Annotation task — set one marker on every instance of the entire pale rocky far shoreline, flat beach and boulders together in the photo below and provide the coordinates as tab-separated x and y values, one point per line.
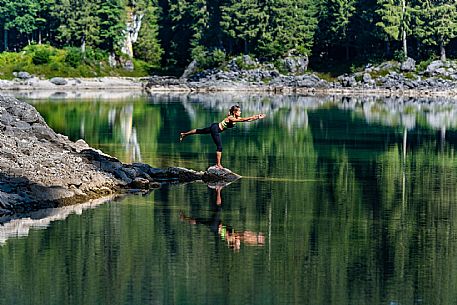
437	78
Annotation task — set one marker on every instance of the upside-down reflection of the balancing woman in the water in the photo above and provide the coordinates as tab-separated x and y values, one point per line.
225	232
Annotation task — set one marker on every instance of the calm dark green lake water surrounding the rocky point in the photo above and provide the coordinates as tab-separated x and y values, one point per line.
342	201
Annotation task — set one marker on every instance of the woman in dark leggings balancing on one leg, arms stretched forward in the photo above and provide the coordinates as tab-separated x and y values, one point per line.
215	129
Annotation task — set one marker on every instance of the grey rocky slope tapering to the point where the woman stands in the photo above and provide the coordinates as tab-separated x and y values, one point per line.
42	169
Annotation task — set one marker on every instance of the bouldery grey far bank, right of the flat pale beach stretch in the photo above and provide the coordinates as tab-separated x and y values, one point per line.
438	78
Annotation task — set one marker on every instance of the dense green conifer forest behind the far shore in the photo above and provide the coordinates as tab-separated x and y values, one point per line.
170	33
